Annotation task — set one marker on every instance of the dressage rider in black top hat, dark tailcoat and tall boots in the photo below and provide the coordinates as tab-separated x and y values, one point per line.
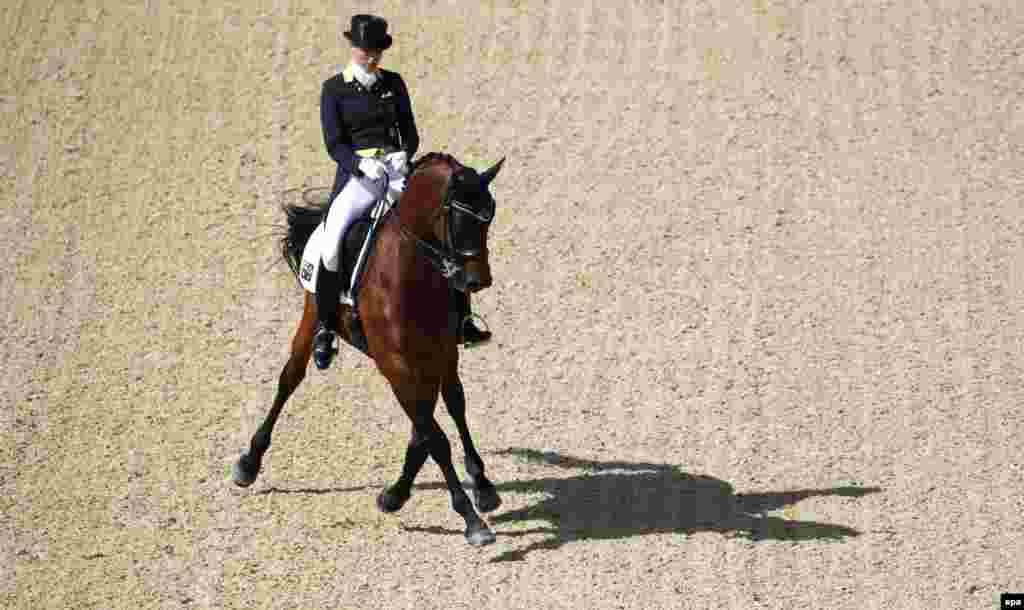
370	132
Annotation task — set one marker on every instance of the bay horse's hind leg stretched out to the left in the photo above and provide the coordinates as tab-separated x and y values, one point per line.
247	468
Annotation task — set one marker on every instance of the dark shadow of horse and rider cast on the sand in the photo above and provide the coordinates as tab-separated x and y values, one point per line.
620	500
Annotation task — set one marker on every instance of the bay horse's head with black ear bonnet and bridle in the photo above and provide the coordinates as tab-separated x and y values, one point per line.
460	224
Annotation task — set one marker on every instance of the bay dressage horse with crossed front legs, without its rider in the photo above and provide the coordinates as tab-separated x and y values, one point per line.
433	242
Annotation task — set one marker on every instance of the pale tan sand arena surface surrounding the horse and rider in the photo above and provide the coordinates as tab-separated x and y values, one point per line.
759	308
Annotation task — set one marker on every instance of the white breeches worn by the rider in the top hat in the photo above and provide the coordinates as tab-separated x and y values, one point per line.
356	199
